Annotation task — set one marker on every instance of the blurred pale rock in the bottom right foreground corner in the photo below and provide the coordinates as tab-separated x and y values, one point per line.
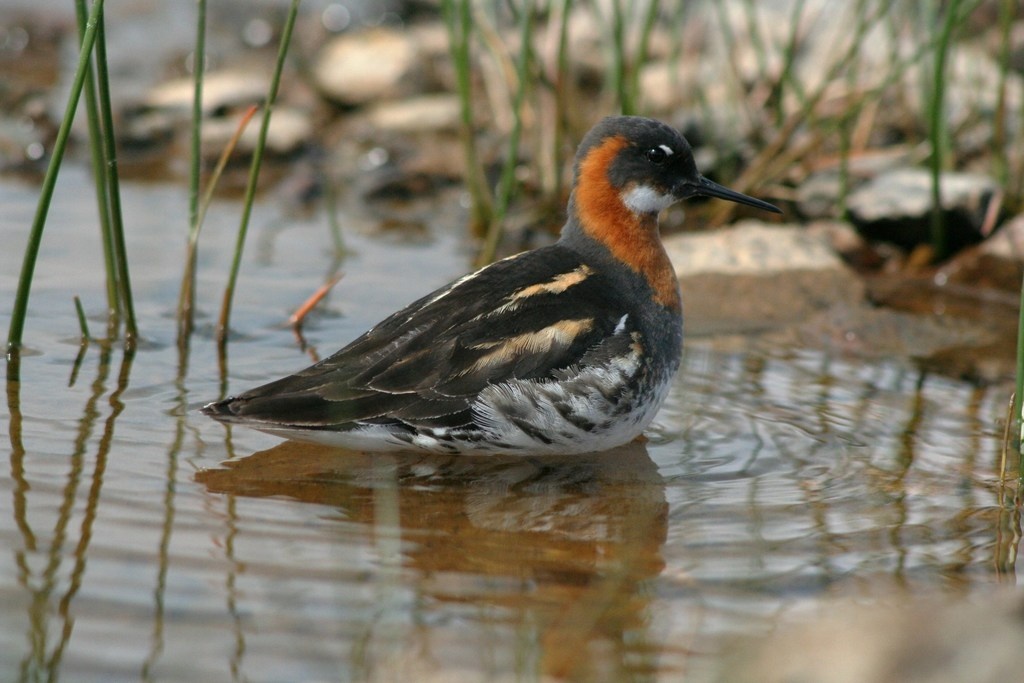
915	643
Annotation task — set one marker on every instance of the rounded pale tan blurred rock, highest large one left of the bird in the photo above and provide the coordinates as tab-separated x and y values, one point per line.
361	68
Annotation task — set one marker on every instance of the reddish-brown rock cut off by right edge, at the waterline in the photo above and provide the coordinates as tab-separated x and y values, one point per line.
999	262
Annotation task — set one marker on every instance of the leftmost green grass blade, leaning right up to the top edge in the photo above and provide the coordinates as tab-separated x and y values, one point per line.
17	330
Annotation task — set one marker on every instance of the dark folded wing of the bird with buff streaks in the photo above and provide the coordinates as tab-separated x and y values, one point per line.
530	317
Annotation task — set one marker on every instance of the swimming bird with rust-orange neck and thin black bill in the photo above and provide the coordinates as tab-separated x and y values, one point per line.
565	350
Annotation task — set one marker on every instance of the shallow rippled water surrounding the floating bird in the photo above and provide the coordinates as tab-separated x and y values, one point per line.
145	542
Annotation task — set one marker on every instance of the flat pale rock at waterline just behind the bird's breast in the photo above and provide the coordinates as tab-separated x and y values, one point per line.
753	277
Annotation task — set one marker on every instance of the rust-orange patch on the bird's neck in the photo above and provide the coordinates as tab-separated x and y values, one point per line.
632	239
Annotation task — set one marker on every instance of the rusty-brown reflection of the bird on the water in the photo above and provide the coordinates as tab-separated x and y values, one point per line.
564	544
